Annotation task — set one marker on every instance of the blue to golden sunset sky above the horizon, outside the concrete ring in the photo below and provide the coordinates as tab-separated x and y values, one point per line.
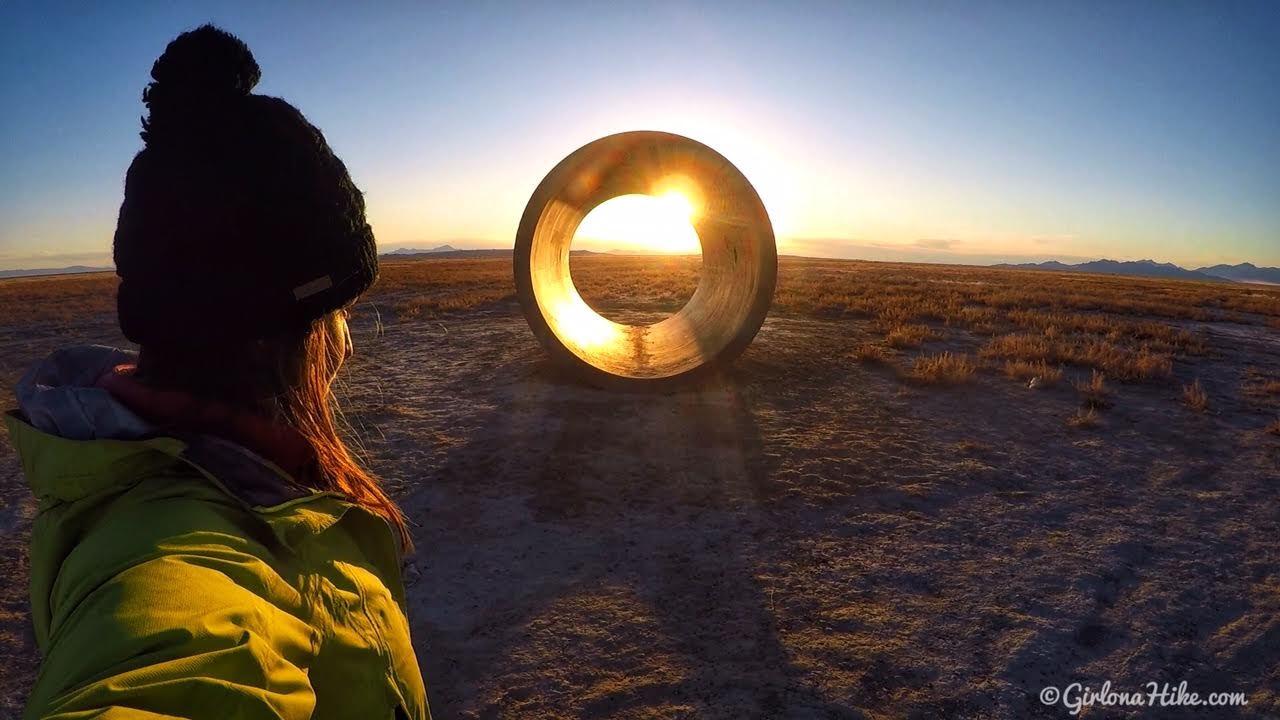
964	133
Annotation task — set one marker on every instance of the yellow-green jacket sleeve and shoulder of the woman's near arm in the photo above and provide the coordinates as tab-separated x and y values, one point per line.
167	604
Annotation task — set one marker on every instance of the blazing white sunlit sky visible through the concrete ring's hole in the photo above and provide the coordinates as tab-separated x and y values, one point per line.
642	224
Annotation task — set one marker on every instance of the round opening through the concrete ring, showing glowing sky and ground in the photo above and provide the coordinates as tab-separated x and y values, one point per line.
637	259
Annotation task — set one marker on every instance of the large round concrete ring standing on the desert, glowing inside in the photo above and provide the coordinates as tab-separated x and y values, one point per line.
734	293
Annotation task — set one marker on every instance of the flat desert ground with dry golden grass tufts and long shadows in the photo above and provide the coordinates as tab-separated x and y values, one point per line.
924	491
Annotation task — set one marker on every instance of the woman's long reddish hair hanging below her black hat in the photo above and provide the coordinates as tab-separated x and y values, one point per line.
290	379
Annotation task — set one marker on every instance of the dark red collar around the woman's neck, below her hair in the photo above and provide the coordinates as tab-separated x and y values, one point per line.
278	443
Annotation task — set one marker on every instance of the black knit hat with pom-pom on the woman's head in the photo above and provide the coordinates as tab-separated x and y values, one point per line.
239	222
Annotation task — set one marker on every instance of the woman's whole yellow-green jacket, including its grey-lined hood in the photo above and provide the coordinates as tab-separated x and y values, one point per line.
189	577
